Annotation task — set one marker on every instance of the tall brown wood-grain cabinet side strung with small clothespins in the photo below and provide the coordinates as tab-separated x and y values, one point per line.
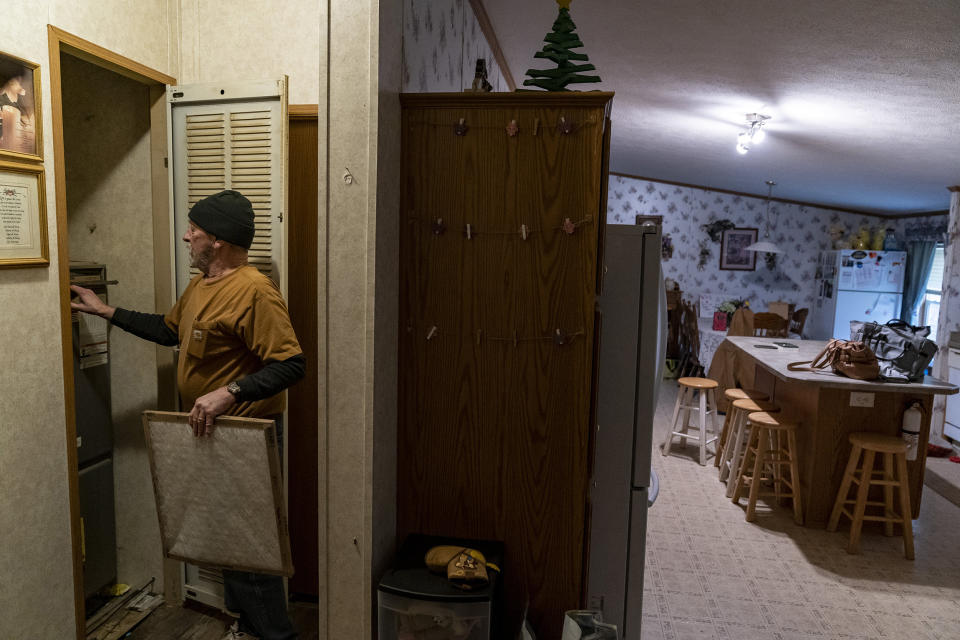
504	200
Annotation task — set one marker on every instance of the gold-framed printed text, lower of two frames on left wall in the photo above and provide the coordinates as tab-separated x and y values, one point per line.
23	216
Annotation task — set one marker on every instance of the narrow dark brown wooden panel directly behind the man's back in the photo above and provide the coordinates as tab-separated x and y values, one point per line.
302	414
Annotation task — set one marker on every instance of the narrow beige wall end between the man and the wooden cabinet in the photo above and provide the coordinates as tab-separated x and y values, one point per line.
360	81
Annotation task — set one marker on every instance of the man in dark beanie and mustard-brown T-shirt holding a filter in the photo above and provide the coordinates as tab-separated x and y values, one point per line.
238	351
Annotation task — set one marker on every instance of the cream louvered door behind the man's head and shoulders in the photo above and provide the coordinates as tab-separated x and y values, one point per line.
231	137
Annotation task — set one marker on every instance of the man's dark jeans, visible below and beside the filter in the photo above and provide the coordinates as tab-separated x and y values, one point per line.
259	599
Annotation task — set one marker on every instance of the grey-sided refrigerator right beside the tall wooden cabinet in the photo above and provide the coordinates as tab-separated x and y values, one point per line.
631	312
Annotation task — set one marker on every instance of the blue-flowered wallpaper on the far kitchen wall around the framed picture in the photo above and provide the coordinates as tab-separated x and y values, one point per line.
800	230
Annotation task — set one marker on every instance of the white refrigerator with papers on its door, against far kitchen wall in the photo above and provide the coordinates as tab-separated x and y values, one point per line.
856	284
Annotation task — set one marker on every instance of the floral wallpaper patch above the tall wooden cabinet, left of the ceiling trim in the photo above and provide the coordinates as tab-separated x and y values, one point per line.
442	41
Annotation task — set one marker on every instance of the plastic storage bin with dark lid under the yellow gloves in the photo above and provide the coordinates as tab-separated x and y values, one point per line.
415	604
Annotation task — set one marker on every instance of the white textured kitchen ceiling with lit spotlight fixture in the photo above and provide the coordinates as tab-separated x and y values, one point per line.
864	95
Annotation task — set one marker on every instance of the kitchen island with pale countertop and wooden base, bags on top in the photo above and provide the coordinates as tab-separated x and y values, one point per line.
827	407
